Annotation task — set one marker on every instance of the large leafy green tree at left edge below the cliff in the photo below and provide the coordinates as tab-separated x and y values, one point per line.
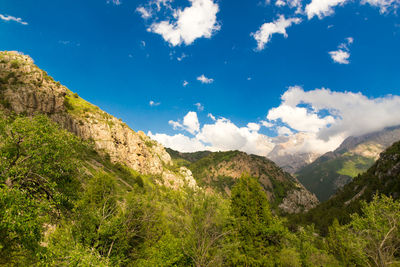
38	157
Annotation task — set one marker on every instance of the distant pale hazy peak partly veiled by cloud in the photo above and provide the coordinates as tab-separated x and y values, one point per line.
287	153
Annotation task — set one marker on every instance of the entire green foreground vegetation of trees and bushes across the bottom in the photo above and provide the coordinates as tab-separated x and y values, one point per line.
62	204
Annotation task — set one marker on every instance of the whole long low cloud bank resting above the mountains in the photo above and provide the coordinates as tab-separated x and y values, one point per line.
314	121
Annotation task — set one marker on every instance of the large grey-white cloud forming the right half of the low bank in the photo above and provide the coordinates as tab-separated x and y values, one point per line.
350	114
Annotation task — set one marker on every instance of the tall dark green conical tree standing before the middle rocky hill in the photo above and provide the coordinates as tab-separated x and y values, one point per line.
258	232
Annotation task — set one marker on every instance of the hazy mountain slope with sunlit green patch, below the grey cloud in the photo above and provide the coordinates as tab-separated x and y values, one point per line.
355	155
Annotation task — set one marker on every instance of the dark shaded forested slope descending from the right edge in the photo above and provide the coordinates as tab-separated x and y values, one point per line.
382	178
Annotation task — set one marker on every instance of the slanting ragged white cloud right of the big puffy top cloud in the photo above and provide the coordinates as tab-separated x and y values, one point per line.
264	34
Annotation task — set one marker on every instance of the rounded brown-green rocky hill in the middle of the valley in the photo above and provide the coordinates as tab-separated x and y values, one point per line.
219	171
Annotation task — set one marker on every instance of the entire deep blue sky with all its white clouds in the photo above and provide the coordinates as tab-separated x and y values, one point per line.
222	74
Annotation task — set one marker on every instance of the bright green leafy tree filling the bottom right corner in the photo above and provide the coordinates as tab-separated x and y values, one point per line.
372	238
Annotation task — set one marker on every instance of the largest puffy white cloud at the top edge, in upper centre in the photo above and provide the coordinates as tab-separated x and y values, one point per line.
197	21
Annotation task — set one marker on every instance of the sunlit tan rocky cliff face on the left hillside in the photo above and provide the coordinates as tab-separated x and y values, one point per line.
24	88
